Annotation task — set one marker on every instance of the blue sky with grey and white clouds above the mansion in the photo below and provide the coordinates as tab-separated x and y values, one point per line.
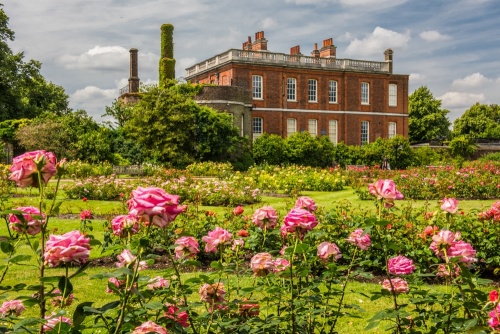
450	46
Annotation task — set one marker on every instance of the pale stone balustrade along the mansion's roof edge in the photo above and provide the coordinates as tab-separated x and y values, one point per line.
265	57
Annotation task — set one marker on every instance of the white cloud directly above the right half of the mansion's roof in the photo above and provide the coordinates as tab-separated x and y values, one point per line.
376	42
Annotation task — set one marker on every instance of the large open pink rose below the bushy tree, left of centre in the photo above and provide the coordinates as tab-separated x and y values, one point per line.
154	205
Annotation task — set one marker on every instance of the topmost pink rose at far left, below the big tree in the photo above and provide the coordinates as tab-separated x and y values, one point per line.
25	168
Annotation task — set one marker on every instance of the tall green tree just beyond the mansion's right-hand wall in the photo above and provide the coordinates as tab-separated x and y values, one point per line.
427	121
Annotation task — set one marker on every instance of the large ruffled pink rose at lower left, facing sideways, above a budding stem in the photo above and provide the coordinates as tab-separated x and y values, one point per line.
71	247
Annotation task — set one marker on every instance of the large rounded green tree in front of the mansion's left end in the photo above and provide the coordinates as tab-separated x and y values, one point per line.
173	129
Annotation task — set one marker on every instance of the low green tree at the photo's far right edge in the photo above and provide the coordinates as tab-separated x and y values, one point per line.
479	121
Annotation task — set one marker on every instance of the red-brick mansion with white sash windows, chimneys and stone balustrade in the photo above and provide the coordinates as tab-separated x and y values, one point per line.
353	101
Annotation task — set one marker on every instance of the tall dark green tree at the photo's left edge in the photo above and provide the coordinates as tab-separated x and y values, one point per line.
24	93
